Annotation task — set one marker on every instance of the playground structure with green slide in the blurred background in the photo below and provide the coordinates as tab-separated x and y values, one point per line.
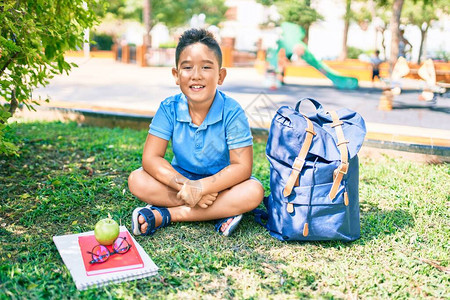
291	43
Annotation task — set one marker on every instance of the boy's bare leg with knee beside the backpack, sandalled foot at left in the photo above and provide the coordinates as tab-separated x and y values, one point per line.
239	199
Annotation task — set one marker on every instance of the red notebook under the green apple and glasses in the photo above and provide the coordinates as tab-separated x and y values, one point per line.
115	263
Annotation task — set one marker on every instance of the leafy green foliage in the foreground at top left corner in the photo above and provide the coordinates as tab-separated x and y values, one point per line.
34	34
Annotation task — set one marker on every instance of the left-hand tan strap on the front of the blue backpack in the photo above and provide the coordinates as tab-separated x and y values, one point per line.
300	159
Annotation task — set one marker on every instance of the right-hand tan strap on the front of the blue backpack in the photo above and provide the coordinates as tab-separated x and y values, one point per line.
342	145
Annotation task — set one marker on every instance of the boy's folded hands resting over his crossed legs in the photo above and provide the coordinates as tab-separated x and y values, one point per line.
191	194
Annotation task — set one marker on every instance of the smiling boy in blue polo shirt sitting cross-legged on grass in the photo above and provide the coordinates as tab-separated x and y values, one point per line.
210	175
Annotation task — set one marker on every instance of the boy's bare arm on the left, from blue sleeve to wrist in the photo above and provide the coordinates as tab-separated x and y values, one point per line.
154	163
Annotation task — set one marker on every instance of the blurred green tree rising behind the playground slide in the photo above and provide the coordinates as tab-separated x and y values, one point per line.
298	12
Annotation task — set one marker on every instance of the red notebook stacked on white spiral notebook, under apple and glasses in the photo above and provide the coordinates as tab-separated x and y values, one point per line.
134	264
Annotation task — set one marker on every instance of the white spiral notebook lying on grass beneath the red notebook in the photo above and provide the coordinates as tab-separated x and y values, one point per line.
69	250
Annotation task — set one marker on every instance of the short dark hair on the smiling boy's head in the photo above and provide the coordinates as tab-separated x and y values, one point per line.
192	36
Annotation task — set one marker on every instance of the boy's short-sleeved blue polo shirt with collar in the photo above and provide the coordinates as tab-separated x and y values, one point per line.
202	149
